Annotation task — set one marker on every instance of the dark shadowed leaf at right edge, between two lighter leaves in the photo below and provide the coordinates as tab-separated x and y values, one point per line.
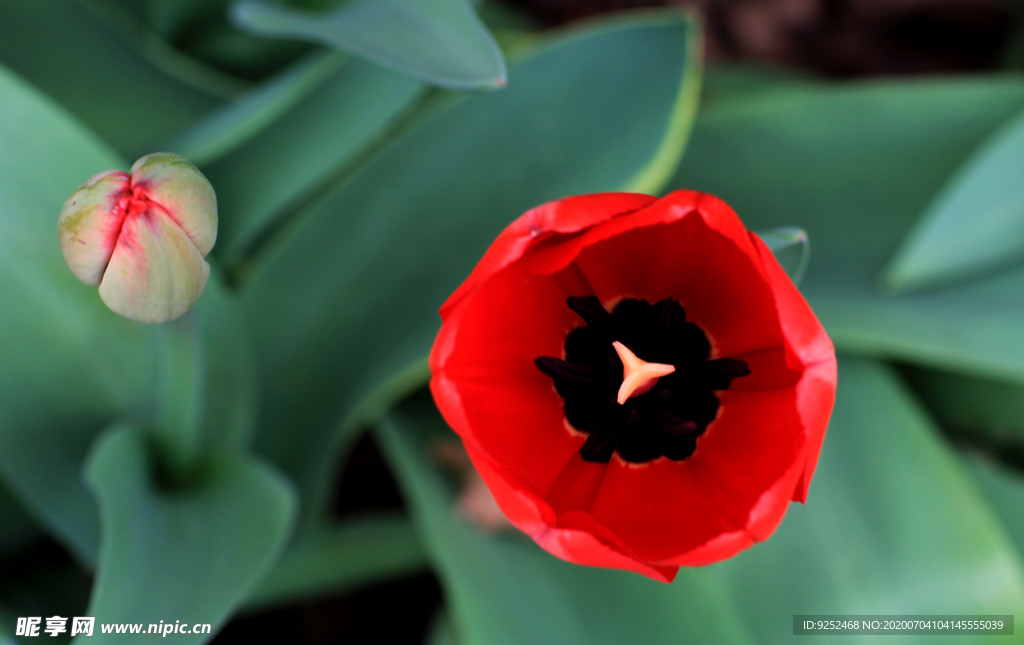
991	411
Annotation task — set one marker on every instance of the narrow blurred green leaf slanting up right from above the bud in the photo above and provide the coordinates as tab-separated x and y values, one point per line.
229	128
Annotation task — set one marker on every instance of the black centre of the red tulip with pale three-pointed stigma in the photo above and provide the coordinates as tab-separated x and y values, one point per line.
638	380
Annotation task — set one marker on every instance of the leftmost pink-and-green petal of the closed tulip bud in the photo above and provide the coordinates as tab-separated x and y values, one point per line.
90	225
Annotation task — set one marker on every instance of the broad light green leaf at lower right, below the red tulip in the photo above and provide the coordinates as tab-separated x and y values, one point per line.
893	525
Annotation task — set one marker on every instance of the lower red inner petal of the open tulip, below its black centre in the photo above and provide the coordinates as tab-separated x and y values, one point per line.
665	509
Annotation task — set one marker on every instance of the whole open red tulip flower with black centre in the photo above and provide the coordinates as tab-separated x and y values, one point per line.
637	380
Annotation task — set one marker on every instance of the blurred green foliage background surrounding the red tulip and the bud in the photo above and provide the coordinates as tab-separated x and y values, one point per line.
268	463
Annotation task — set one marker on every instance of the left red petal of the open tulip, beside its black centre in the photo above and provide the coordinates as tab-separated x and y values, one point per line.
486	383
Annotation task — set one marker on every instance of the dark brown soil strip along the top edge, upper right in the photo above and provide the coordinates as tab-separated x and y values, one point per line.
838	37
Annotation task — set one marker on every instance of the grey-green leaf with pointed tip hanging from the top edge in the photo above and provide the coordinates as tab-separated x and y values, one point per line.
439	41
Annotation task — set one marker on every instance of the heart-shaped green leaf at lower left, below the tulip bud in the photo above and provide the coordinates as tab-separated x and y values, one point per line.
192	554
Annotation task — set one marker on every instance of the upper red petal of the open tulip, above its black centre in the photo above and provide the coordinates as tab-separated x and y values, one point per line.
695	249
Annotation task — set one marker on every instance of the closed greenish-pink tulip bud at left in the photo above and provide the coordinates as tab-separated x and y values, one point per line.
143	237
